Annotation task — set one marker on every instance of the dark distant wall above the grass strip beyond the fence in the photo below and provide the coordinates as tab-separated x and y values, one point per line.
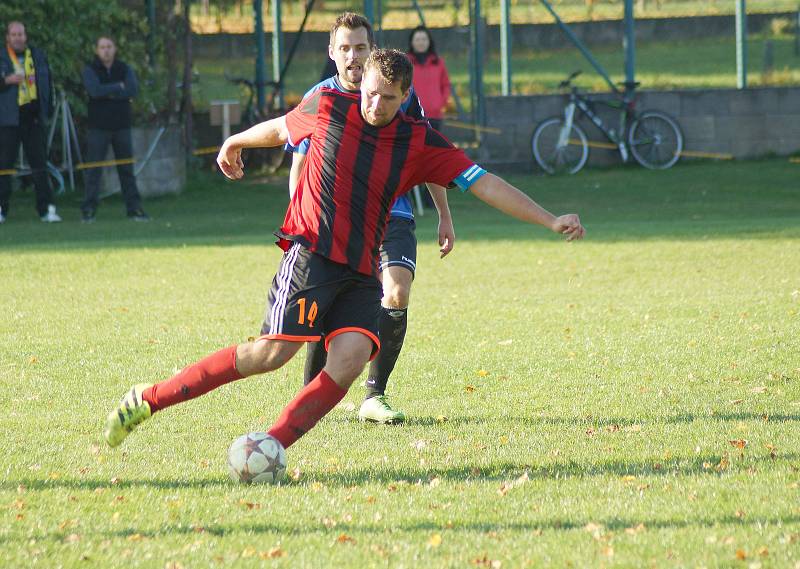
531	36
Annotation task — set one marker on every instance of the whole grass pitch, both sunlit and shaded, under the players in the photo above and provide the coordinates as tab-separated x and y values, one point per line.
630	400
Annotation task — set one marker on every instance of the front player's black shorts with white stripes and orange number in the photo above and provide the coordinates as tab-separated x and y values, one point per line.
312	296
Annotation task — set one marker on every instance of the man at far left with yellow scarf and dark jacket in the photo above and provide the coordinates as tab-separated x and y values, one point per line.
25	107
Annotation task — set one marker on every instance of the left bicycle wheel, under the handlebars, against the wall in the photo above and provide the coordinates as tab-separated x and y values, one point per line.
557	152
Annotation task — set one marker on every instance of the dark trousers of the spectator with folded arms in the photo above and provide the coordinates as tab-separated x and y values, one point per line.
122	144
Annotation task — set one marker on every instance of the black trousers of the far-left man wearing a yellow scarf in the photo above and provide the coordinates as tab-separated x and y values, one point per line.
30	133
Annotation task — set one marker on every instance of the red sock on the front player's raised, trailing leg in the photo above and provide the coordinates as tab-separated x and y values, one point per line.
195	380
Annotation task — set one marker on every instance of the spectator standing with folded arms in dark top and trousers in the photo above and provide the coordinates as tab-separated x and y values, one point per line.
111	85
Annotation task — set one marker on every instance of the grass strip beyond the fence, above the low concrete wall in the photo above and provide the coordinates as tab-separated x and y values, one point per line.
659	65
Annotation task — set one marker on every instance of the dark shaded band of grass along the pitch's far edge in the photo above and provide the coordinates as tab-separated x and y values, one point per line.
693	202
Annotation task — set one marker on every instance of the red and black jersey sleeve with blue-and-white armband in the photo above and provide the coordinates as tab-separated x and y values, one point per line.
446	165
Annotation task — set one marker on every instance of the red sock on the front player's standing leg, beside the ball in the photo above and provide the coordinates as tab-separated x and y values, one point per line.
313	402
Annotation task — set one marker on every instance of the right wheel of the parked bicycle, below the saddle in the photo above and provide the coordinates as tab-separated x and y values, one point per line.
655	140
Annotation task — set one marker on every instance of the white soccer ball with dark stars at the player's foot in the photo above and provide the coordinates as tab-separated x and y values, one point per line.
256	458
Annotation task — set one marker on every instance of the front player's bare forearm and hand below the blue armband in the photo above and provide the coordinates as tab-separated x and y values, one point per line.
503	196
